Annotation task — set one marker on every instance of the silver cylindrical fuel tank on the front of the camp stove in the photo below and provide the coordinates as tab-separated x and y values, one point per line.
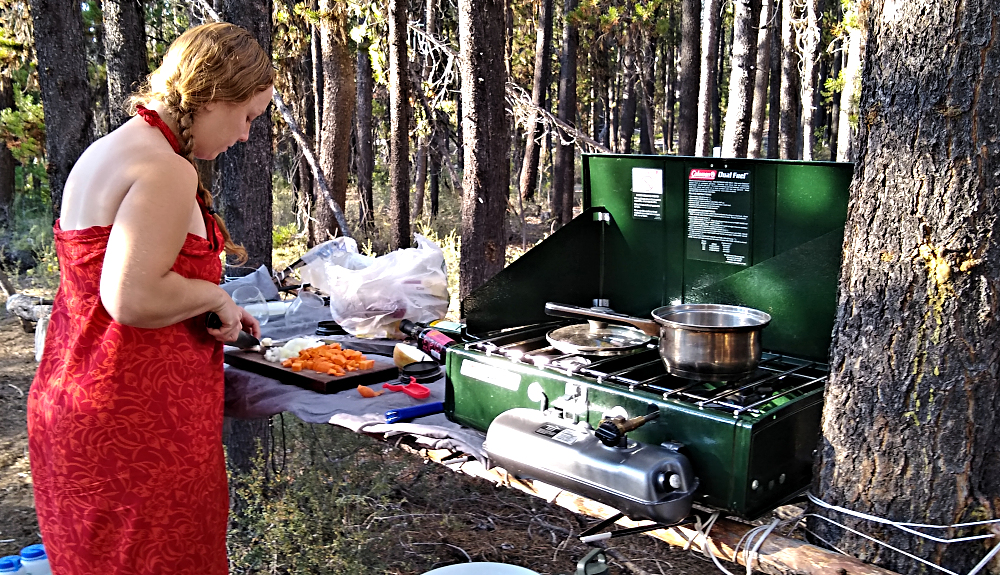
642	481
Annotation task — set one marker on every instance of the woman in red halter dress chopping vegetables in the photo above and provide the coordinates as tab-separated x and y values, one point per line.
125	413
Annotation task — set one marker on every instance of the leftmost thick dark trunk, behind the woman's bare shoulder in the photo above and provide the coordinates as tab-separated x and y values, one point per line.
62	77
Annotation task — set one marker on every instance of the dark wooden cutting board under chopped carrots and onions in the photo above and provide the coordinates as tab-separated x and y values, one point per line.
254	362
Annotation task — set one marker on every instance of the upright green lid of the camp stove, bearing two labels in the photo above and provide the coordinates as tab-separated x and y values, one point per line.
760	233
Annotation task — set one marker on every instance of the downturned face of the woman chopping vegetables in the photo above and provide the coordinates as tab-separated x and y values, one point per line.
219	124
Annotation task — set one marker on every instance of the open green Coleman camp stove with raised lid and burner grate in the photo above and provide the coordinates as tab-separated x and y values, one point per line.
665	230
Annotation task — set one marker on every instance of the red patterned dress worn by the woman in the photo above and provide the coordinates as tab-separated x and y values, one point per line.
125	427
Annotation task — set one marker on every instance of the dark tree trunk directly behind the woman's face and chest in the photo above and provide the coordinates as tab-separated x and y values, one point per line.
244	171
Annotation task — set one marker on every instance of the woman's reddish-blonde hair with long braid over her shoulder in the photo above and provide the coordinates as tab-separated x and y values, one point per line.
212	62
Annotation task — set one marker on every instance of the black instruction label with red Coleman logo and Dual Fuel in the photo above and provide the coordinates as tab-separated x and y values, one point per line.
719	208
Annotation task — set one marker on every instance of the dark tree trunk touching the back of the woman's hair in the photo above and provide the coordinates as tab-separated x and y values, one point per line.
125	53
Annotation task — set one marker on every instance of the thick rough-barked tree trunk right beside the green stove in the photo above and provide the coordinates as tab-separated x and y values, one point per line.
912	409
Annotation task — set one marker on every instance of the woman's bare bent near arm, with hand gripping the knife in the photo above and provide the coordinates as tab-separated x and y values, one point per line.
149	230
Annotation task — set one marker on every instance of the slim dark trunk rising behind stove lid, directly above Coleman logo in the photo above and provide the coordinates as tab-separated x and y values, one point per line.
687	120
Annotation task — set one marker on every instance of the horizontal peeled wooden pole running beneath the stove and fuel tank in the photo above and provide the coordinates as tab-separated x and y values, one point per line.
778	555
